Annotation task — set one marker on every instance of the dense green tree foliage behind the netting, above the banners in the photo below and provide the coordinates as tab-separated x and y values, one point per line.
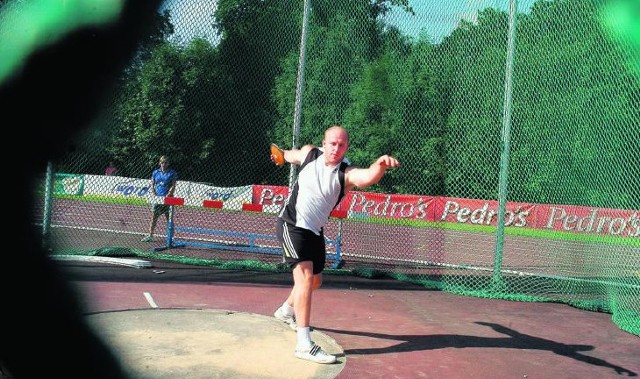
439	108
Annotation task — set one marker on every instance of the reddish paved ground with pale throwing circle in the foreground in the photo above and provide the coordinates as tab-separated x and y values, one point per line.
195	322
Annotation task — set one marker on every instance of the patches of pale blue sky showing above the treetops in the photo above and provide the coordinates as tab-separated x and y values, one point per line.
437	18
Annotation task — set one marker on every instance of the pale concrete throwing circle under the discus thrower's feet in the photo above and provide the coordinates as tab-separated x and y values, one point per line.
195	344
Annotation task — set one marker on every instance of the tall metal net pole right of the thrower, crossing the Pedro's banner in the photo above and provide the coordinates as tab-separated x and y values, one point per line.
504	156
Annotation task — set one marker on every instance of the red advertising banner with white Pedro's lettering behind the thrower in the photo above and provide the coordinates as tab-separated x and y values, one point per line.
578	219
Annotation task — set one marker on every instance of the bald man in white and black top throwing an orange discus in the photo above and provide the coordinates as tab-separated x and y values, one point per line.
324	178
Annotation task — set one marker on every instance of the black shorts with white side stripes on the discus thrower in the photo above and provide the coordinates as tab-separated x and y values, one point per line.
300	245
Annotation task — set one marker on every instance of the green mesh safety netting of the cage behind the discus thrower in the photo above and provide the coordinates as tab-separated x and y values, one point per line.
215	85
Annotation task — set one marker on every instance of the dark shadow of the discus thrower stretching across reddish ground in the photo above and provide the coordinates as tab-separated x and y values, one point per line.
515	340
